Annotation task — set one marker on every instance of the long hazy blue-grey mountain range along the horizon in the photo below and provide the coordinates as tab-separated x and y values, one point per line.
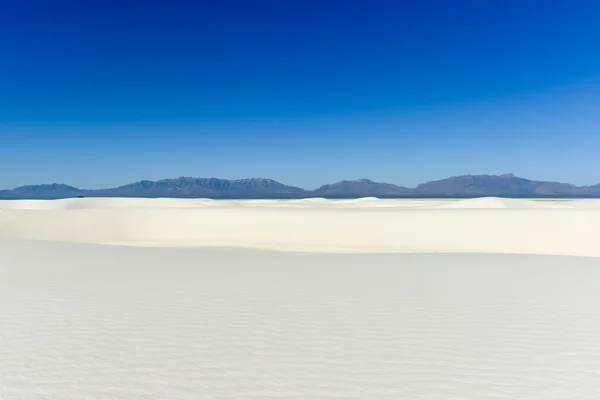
506	185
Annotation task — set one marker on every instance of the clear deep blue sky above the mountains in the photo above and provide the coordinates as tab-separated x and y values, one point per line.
102	93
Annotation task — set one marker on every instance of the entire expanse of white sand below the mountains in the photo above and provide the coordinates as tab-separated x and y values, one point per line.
86	321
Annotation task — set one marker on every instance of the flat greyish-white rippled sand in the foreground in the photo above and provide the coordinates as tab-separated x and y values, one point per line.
80	321
